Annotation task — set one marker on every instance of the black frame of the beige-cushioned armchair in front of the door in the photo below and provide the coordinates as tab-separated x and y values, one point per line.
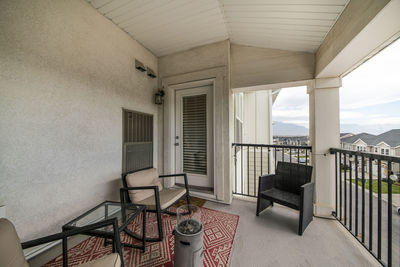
156	202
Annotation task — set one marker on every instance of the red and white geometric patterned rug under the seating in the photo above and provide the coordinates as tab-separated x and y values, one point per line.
219	233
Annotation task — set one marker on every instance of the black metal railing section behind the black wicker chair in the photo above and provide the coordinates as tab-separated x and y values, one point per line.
254	160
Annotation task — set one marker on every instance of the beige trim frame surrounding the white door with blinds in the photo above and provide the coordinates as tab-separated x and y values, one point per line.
223	134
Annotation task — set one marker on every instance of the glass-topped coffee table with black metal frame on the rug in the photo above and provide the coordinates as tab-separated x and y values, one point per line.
124	213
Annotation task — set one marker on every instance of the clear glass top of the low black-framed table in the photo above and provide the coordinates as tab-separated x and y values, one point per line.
104	211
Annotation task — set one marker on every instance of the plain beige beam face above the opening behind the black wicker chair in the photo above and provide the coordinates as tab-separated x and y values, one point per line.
253	66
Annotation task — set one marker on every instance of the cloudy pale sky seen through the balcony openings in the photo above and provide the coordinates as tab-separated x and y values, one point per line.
369	97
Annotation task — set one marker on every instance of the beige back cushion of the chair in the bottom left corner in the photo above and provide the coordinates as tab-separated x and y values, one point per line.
11	254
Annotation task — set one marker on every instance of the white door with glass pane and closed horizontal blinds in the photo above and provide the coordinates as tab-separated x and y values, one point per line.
194	136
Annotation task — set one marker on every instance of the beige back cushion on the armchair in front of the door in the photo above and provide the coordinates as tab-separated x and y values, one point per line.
142	178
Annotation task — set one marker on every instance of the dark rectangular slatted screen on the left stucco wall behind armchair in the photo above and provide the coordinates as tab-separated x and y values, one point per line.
137	140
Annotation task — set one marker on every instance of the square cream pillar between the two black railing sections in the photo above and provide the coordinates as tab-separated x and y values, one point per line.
324	134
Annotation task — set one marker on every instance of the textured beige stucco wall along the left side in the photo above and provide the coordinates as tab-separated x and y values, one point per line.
65	74
